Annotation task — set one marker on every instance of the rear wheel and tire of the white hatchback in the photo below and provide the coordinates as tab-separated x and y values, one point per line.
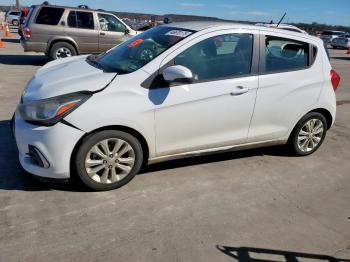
296	140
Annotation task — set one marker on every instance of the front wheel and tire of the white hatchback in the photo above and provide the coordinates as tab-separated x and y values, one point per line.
110	176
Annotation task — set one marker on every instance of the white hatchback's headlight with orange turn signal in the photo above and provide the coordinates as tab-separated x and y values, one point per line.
48	112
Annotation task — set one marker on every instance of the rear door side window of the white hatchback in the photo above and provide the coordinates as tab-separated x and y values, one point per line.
284	54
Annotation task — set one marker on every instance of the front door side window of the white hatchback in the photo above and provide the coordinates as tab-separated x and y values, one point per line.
217	57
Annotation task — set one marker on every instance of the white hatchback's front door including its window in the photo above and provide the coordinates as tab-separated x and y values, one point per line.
216	109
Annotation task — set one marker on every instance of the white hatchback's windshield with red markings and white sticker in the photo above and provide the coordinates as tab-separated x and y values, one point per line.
140	50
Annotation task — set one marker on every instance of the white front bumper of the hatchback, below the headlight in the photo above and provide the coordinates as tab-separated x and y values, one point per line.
54	145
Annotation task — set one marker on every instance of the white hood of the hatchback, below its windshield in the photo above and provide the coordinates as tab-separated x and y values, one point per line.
64	76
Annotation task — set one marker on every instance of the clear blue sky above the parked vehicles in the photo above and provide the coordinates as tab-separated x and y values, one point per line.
336	12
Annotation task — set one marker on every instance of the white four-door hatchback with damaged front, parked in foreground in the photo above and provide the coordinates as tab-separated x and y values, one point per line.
174	91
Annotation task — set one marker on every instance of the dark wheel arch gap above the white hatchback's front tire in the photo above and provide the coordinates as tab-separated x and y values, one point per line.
126	129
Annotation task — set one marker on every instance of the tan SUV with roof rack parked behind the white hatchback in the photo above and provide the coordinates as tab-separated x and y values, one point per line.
65	31
